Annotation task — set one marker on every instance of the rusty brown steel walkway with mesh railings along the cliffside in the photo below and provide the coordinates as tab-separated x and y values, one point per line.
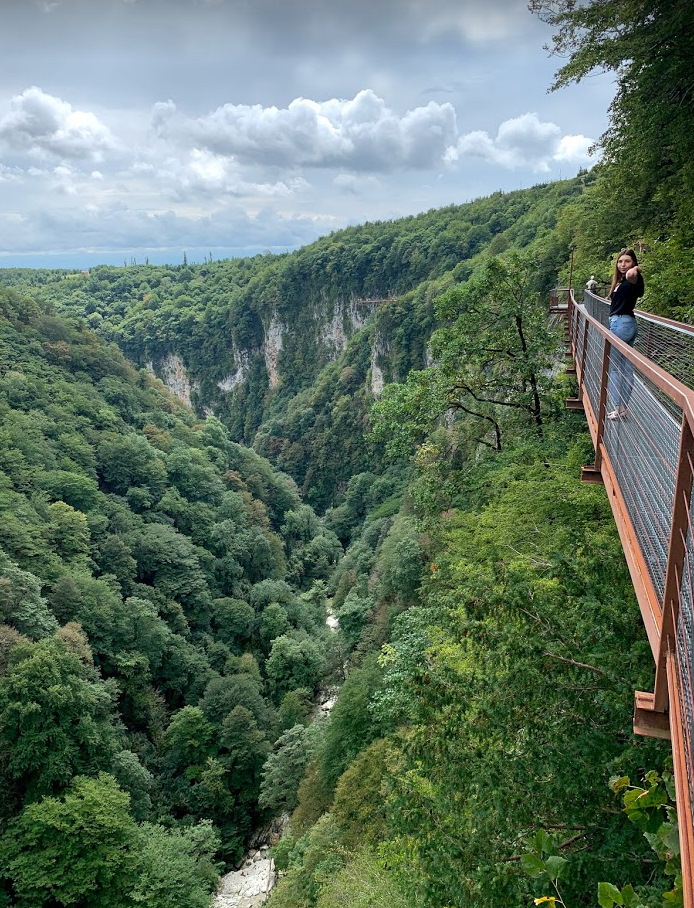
640	411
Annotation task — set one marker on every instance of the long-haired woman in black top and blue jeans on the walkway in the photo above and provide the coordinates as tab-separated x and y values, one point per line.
627	287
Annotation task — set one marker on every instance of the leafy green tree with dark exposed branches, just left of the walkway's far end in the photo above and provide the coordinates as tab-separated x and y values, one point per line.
492	361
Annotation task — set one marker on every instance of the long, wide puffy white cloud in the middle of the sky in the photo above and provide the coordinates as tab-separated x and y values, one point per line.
361	133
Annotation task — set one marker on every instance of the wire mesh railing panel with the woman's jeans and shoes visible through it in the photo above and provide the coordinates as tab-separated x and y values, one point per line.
642	440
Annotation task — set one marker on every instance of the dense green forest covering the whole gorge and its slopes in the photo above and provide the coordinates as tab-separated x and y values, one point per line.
372	425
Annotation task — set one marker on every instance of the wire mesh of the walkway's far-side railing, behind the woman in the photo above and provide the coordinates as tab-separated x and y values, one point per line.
670	345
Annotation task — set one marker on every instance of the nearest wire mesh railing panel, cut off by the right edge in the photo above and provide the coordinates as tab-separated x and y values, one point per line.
685	653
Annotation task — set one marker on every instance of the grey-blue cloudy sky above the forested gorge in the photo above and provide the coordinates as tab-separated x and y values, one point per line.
146	128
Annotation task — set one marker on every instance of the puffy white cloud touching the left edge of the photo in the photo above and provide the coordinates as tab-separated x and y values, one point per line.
40	124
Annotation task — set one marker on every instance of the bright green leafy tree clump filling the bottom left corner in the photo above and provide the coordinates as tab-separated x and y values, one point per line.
86	849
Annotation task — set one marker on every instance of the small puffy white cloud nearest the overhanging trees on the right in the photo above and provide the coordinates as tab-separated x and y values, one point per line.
523	141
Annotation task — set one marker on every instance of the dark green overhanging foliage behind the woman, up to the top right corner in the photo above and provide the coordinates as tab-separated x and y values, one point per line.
644	183
